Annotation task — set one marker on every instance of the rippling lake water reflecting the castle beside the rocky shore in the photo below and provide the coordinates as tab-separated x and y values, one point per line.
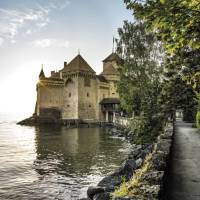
54	162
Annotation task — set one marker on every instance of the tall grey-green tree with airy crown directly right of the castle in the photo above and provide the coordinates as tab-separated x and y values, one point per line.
141	77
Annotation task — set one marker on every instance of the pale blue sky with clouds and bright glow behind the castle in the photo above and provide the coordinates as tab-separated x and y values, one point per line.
48	32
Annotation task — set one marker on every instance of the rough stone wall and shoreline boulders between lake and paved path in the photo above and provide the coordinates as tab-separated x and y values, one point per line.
146	163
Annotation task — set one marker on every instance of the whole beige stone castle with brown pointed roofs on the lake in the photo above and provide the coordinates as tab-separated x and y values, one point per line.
76	92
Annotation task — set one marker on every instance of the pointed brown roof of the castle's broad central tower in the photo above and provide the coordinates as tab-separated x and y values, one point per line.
78	64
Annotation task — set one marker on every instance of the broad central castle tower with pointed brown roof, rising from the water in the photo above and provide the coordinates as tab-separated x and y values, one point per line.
80	90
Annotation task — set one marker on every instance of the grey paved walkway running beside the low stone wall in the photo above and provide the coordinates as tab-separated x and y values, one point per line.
184	172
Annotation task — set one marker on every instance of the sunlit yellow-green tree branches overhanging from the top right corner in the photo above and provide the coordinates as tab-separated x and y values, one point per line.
177	25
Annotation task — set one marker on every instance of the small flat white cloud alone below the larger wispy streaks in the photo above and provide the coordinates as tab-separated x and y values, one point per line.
45	43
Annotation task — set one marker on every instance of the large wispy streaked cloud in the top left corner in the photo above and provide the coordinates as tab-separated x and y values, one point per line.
27	20
